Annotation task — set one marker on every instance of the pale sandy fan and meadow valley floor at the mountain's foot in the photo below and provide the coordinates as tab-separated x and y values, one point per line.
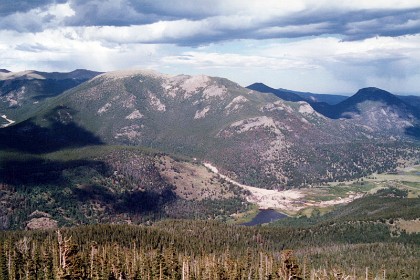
322	199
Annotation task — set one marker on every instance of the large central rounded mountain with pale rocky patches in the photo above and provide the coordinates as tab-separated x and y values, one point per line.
257	139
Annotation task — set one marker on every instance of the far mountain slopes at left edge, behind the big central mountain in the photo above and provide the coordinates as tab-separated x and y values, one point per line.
22	92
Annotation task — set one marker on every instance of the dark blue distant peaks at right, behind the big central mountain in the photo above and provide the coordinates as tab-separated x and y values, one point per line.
364	105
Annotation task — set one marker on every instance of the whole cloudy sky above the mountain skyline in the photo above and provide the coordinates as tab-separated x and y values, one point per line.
322	46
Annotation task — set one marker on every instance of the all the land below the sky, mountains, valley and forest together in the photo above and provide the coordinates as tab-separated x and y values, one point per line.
183	164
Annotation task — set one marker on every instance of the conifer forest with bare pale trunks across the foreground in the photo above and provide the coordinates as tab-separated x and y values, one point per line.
210	250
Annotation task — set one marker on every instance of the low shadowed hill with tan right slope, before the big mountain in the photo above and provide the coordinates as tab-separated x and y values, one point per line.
104	184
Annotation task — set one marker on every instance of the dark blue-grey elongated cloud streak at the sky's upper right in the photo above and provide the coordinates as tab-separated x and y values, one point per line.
351	25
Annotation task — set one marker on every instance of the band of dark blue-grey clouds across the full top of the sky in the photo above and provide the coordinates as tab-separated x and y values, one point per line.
195	22
